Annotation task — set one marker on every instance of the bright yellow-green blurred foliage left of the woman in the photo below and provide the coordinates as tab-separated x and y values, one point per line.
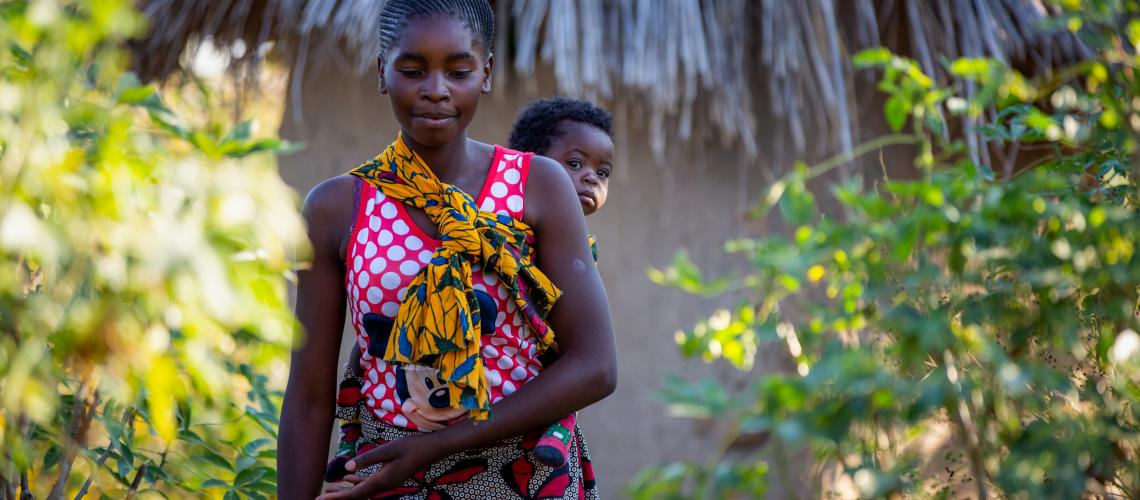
143	284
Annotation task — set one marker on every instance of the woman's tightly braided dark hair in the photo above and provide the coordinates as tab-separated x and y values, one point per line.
476	14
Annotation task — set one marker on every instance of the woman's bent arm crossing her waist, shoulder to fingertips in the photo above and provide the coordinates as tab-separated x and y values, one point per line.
587	371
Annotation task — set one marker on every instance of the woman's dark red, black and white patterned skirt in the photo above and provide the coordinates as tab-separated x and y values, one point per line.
504	471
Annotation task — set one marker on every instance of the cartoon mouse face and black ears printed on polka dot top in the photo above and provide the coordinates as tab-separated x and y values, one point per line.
421	391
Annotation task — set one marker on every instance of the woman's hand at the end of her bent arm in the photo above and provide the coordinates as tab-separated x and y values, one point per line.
400	461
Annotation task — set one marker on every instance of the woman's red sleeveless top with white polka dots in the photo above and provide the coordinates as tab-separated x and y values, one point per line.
386	252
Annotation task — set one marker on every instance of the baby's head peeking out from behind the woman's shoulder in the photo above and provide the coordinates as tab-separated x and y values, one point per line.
577	135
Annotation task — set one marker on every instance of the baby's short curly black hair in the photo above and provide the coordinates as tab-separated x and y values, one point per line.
539	124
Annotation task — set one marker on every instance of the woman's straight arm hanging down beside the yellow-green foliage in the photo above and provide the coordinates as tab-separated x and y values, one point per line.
307	413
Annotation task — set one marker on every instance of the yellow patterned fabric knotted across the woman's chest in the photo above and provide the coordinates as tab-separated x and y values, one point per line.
438	324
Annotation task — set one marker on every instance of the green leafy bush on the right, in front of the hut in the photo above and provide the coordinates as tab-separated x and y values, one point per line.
971	332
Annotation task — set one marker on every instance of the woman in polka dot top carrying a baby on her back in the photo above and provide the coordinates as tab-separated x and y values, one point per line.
435	65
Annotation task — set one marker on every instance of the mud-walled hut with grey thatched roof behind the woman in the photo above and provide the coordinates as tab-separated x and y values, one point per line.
713	100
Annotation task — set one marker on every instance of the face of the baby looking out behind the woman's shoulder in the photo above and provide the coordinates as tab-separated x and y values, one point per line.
588	154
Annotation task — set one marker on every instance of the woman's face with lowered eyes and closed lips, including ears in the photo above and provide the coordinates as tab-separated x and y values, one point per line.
434	76
